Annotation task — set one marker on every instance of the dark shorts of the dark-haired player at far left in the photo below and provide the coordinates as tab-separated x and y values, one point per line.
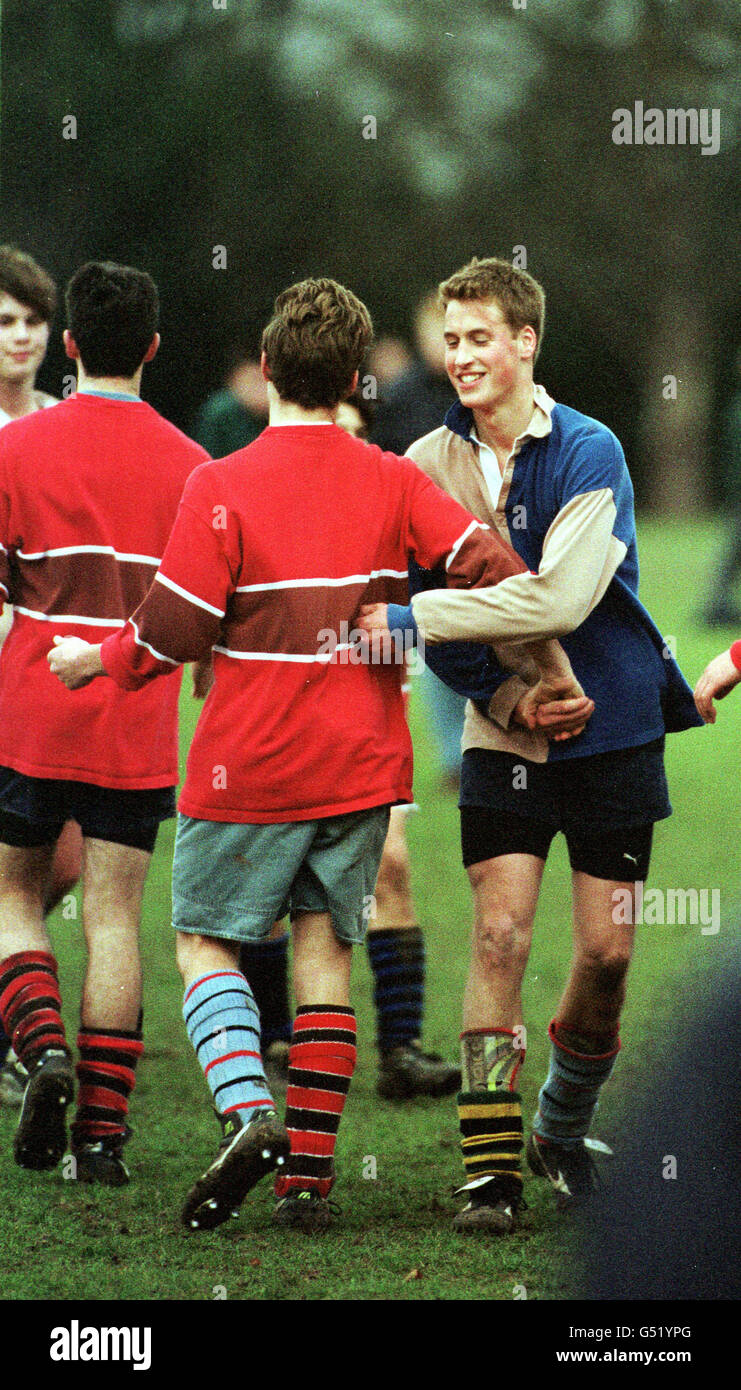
34	811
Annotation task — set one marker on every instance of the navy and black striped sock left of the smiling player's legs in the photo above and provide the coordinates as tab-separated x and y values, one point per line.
398	965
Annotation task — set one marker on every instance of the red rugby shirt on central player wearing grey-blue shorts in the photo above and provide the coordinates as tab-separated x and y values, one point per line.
273	551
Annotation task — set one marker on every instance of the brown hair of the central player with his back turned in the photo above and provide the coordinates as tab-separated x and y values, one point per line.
315	343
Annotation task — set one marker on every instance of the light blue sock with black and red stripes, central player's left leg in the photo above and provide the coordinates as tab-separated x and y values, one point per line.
225	1028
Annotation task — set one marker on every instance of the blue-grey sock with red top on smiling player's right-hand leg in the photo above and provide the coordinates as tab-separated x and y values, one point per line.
571	1092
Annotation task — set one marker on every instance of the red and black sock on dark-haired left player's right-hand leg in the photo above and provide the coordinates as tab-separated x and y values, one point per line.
106	1075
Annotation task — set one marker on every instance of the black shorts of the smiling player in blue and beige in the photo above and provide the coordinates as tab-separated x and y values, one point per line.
605	806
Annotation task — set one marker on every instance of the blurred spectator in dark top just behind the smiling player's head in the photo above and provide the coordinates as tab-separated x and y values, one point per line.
412	407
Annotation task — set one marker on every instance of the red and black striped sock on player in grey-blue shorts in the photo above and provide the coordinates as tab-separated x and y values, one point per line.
322	1063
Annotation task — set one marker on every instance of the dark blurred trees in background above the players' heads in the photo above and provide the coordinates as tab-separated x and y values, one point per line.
243	126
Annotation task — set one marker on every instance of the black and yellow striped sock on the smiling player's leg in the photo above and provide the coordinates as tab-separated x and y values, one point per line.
491	1128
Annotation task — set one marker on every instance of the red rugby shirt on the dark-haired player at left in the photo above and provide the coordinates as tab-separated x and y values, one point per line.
88	497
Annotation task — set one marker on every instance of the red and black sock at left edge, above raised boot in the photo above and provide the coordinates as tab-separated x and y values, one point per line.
31	1003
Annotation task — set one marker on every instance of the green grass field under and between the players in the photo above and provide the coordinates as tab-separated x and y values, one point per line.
394	1241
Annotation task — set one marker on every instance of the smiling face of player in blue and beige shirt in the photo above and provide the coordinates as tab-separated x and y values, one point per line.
486	361
